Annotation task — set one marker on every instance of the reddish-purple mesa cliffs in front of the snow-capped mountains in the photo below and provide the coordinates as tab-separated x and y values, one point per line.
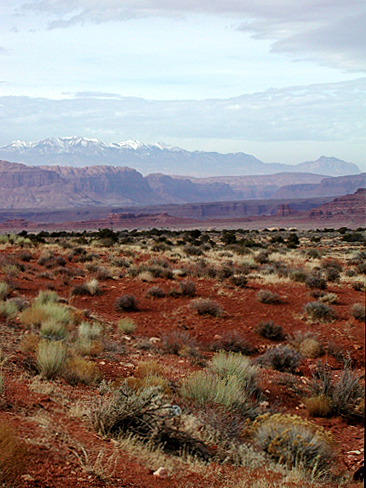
60	187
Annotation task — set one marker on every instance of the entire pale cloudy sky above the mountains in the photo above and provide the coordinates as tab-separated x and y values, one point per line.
283	80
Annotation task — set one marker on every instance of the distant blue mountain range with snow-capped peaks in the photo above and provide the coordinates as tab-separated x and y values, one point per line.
160	158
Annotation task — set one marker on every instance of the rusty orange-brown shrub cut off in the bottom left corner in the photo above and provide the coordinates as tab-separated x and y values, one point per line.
13	454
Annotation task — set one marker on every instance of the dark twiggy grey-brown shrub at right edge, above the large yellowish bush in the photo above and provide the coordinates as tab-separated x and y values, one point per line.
345	394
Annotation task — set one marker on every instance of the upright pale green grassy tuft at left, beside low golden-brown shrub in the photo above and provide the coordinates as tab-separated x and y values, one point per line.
51	357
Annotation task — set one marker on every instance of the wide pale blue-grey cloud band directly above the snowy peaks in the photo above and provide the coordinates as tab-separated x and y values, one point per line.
326	112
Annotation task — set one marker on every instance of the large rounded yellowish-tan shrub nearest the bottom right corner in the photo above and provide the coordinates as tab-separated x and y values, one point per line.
293	441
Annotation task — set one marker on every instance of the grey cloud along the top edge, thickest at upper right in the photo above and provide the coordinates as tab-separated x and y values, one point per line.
328	31
